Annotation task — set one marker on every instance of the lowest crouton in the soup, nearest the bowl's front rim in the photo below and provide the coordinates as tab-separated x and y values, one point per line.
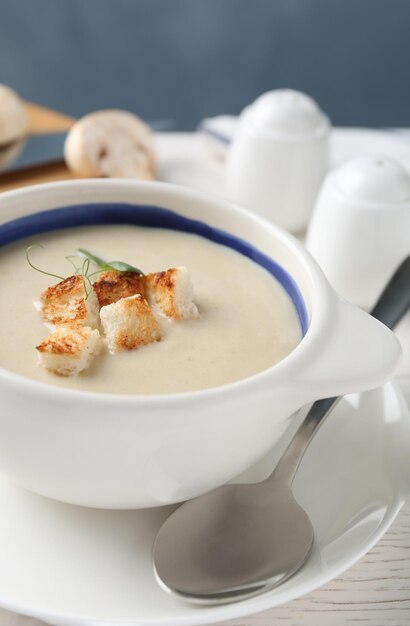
69	350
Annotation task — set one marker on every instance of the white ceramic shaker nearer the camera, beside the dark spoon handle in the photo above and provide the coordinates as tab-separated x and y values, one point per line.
360	232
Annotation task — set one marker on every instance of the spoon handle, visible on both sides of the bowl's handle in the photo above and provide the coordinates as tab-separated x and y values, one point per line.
389	309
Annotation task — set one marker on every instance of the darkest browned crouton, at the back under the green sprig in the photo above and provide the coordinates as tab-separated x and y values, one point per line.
111	286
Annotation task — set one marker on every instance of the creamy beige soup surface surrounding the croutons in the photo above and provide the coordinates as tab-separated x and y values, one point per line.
247	320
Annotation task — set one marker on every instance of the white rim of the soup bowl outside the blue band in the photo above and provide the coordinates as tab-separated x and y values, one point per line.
317	314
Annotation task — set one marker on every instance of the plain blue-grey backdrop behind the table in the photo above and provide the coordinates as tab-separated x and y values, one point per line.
187	59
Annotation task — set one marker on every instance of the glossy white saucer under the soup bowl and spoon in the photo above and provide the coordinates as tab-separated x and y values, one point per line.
70	565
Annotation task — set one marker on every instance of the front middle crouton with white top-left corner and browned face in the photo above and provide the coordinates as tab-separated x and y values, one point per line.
129	323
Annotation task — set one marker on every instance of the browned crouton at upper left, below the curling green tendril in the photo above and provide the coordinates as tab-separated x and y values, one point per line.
67	303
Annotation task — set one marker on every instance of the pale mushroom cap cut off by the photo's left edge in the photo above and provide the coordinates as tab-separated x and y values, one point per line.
13	117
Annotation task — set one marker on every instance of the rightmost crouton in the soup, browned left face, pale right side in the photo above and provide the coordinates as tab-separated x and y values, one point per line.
171	292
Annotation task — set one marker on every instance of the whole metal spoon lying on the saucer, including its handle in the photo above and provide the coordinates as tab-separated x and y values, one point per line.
241	540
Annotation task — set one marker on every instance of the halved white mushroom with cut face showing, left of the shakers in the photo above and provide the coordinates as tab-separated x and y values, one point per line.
111	143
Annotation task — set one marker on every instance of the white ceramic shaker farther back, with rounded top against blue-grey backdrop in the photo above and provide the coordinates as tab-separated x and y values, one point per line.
279	157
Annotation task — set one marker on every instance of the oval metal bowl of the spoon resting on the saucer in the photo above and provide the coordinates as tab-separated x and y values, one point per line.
236	535
